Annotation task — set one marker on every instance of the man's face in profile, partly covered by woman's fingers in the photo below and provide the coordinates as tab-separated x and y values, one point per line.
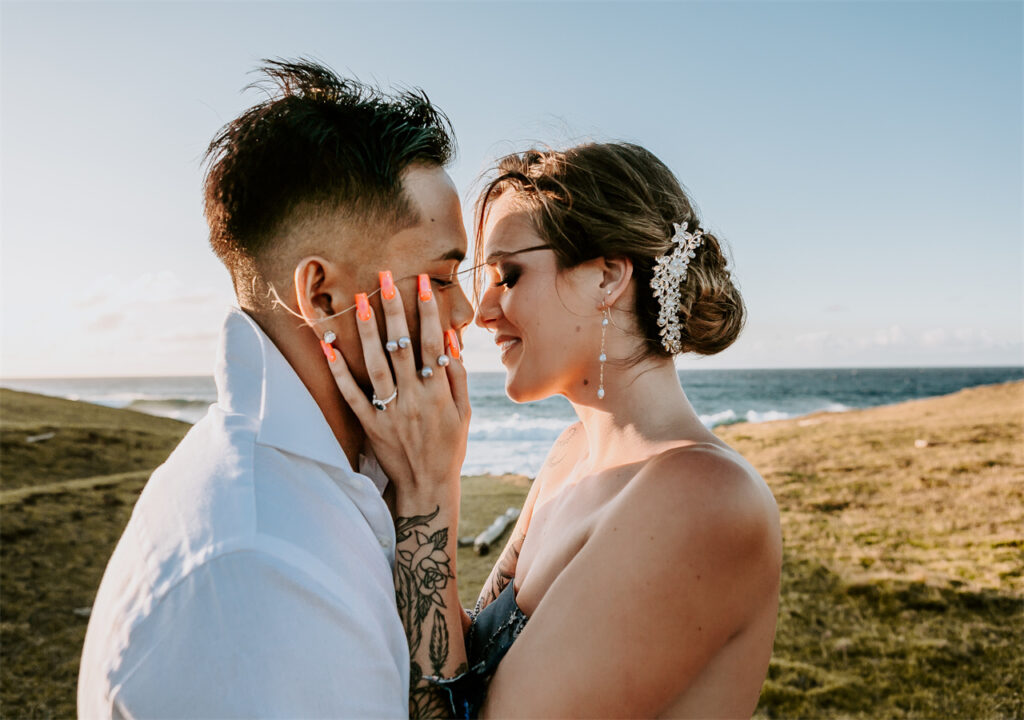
436	246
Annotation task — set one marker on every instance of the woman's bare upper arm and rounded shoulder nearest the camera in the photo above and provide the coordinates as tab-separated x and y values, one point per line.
661	585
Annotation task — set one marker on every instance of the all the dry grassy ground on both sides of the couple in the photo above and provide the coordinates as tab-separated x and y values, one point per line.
903	591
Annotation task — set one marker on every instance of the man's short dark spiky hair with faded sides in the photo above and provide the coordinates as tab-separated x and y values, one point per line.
318	141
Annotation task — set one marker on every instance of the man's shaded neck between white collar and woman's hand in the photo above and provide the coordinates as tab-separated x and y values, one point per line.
303	352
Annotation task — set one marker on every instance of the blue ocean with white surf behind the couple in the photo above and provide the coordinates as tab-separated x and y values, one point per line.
509	438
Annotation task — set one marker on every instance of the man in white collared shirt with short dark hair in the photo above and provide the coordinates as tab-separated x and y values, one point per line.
255	576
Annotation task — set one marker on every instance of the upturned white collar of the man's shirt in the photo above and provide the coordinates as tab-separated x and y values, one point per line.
255	380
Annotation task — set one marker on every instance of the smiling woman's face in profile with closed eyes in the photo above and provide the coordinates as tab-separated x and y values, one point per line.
546	322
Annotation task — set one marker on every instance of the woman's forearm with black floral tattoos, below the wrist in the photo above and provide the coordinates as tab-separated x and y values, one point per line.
429	604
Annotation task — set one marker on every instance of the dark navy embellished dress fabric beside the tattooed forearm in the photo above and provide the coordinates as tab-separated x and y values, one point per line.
490	638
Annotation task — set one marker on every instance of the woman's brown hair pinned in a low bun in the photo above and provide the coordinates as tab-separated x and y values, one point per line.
618	200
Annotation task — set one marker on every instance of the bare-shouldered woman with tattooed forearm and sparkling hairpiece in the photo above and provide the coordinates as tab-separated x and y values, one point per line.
643	577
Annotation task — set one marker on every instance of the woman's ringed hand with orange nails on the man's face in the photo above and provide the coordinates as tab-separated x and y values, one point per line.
419	419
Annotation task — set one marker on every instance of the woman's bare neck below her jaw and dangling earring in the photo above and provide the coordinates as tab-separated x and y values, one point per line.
645	407
